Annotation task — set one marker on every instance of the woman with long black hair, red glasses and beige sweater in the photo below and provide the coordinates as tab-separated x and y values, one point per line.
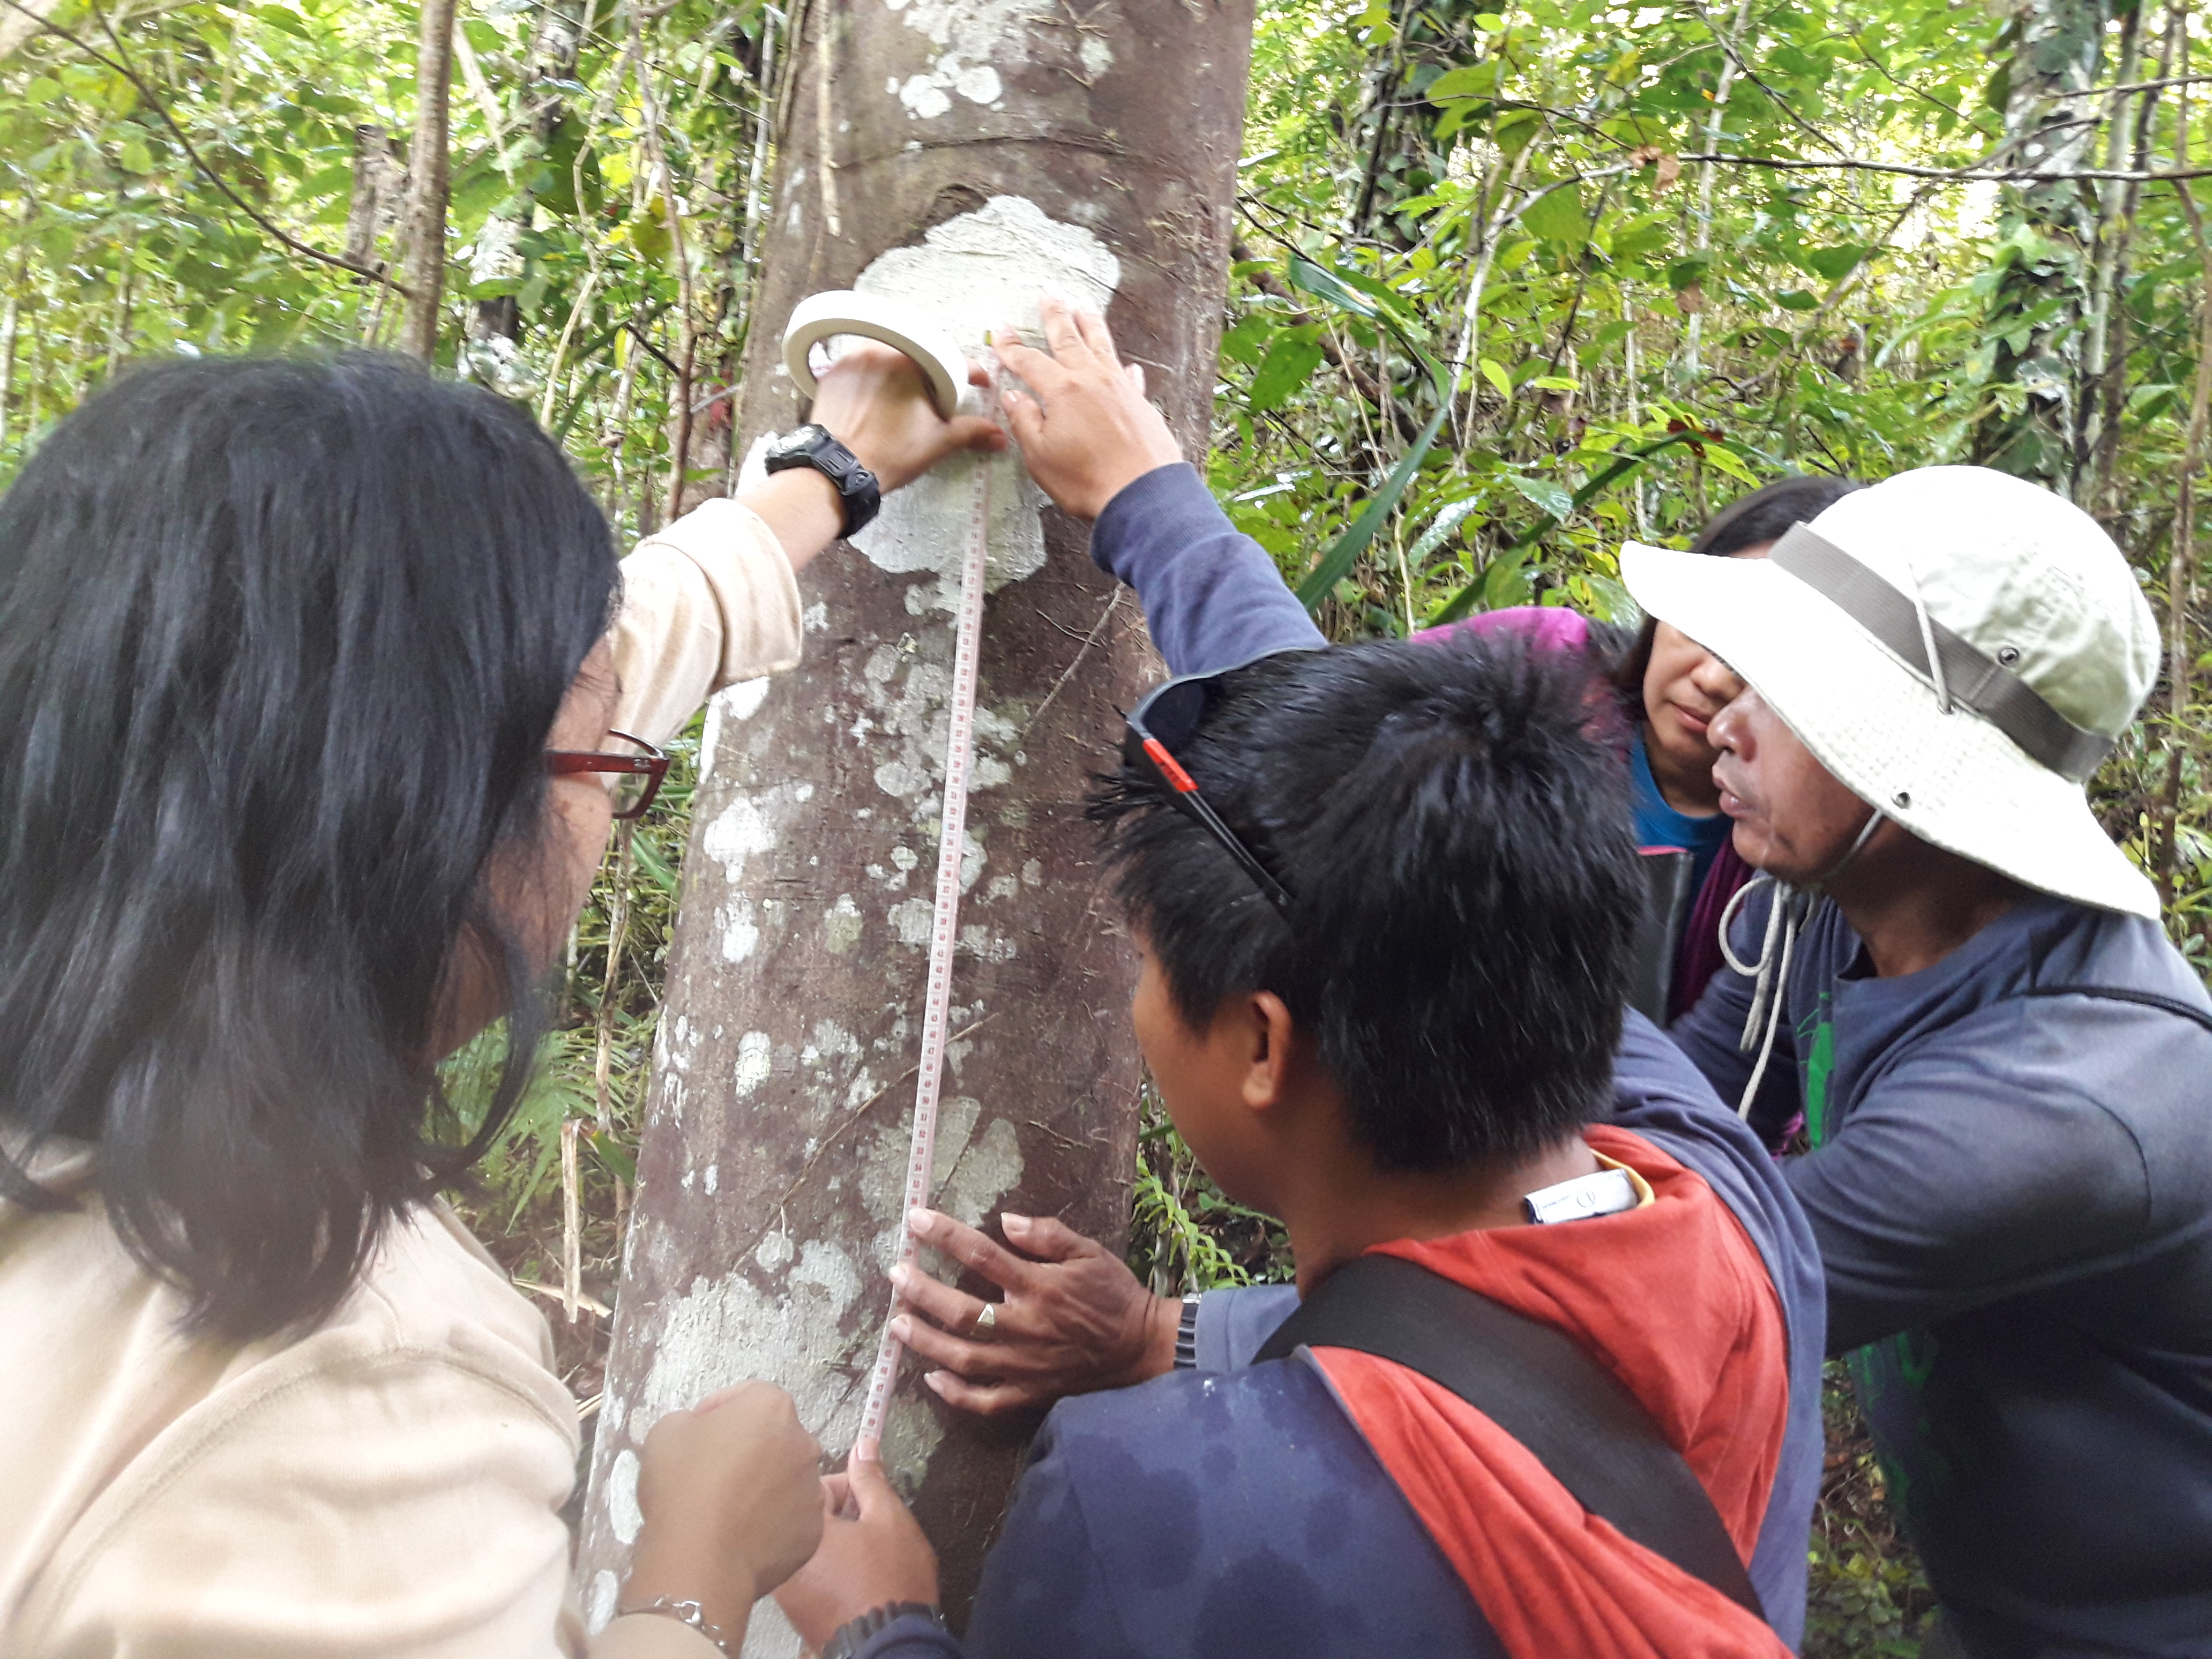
315	680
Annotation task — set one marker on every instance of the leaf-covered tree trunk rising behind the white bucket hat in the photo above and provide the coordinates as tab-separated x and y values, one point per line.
2027	421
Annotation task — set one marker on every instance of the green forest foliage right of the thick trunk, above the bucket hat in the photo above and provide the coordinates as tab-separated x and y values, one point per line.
1477	225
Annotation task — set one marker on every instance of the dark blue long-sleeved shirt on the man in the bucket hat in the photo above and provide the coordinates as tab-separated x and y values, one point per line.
2014	1204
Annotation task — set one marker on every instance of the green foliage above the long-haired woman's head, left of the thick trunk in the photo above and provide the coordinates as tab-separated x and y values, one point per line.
156	167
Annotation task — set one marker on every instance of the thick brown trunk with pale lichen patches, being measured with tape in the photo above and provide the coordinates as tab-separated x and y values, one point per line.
966	165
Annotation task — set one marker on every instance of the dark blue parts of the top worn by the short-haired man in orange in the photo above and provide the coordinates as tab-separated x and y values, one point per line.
1235	1510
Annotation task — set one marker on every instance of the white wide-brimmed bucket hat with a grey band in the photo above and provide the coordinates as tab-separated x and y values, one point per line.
2043	651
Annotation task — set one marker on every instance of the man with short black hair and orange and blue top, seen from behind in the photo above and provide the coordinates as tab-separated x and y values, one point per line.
1381	997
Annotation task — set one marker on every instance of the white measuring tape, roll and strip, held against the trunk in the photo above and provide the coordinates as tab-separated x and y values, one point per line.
930	346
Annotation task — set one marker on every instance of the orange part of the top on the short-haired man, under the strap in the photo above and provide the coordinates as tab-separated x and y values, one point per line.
1678	1304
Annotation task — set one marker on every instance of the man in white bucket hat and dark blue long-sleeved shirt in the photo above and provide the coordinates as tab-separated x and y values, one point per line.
2005	1070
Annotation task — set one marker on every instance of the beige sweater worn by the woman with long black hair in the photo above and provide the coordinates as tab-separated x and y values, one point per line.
393	1483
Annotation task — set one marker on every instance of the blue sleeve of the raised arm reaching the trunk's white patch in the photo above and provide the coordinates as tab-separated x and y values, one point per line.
1211	594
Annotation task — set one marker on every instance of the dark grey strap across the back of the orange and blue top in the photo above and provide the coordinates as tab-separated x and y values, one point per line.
1541	1388
